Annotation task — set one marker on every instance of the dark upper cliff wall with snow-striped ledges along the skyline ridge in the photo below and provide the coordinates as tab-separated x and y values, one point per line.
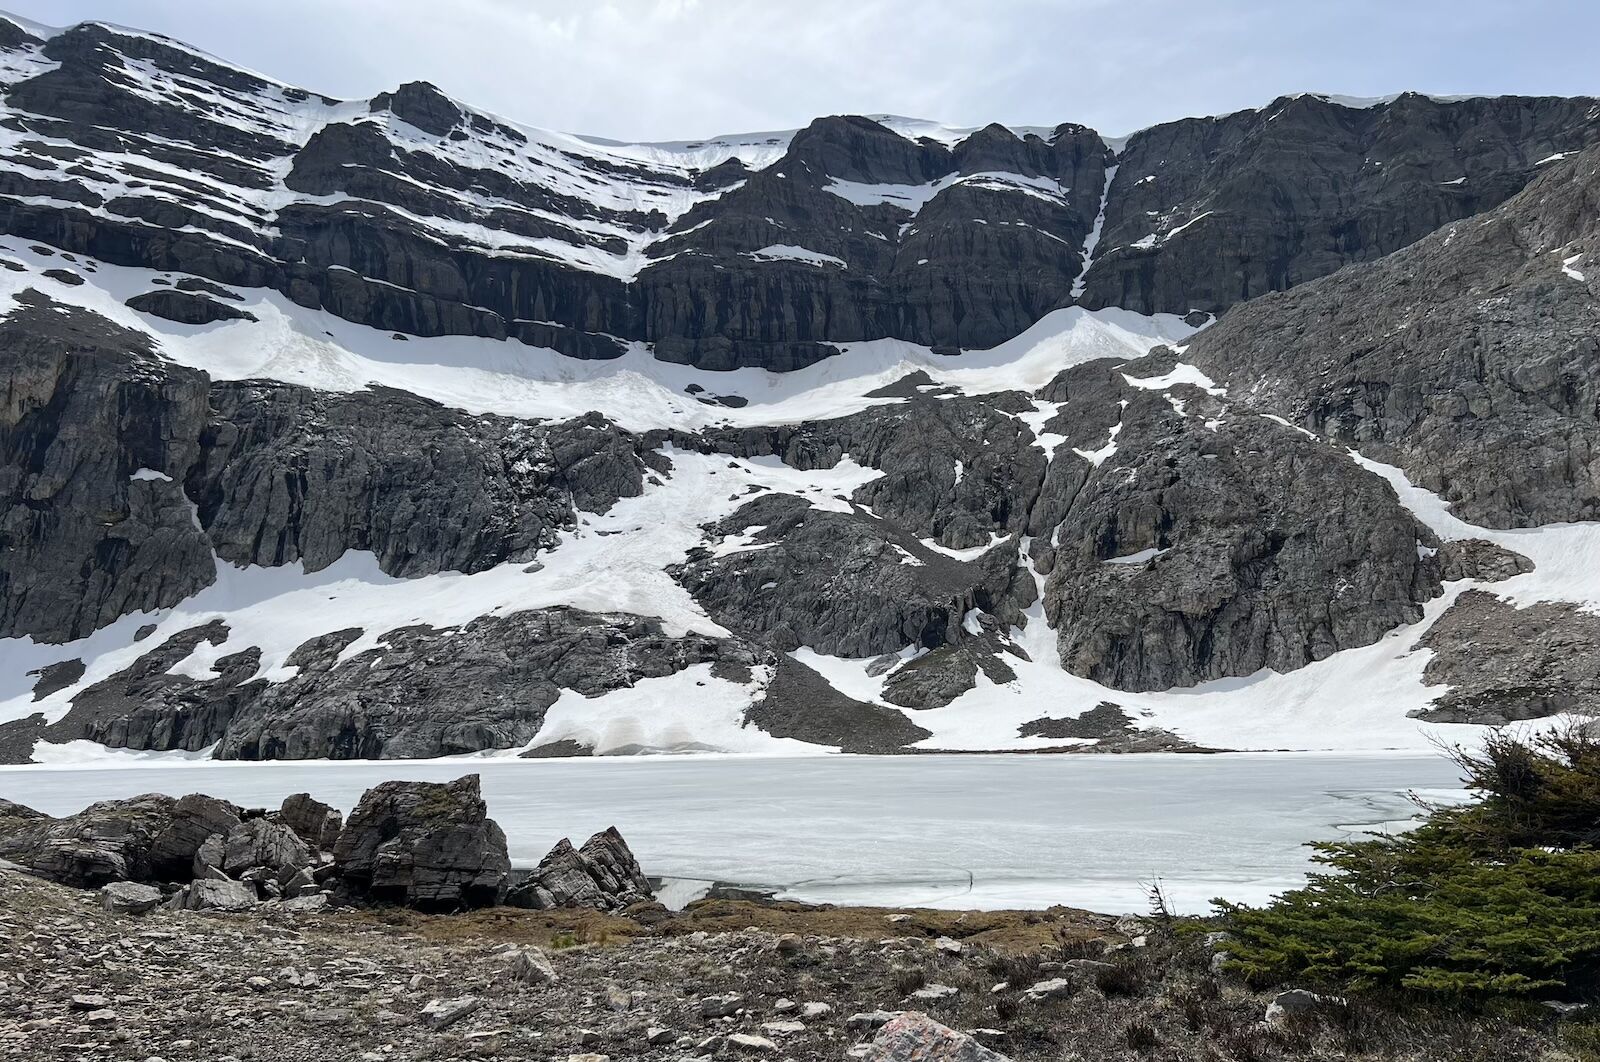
953	246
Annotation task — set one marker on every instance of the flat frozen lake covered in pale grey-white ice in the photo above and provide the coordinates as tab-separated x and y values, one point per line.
940	831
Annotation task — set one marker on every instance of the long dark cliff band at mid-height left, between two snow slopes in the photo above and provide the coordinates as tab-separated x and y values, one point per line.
98	425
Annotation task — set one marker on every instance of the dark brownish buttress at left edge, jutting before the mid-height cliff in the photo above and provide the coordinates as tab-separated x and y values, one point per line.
87	407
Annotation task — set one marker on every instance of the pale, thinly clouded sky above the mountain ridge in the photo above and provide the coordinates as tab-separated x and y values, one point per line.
678	70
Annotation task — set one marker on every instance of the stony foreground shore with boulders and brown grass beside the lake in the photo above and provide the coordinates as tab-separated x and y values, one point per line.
174	930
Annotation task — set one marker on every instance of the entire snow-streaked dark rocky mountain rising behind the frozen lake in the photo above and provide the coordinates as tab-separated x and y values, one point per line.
396	429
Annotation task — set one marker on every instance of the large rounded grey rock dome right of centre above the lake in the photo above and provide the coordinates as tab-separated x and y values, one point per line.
1204	549
